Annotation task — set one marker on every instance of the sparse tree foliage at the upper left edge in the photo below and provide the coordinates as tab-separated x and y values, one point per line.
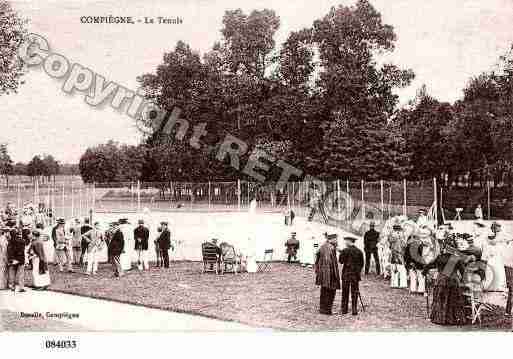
12	32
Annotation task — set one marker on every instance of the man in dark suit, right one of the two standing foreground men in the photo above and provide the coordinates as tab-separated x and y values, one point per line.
352	260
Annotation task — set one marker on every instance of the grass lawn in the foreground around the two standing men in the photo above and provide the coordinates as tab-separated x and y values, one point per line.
284	298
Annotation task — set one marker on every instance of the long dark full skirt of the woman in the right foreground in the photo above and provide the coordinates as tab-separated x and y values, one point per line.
448	302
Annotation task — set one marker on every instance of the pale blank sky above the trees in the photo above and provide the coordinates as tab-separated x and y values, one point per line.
445	42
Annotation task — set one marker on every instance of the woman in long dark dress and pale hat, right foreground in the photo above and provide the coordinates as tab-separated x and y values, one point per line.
448	292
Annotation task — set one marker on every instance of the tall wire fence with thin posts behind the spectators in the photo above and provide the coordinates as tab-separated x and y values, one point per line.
344	204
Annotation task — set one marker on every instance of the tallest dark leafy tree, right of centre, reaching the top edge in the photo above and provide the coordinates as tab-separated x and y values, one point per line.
358	97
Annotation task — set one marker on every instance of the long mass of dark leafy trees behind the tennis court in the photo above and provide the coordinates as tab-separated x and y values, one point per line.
323	102
